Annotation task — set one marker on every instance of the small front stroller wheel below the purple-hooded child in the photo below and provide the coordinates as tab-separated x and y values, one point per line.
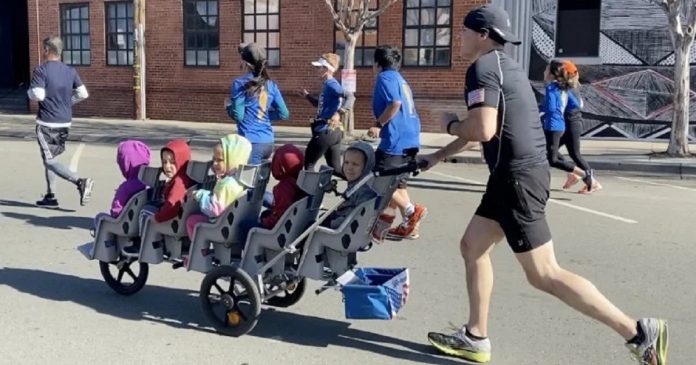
121	276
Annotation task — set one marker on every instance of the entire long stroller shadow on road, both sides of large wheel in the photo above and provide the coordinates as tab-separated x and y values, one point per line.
179	308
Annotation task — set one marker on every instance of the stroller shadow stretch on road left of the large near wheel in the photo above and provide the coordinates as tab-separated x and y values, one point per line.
174	307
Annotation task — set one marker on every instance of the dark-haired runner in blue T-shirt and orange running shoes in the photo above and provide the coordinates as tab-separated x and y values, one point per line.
398	126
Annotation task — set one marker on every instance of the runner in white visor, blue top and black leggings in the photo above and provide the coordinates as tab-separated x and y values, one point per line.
327	131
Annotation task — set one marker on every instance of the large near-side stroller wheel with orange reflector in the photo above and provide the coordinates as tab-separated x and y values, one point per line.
230	300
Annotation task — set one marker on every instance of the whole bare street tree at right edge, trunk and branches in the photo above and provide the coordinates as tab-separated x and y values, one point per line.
681	16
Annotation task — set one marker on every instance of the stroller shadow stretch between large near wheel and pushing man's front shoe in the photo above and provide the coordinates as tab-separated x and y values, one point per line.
321	332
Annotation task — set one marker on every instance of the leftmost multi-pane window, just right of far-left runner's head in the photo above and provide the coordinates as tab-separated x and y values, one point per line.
74	20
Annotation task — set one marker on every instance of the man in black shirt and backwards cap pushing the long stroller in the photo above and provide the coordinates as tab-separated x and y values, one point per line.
504	116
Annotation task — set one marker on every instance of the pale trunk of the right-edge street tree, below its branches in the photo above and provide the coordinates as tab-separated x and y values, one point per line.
679	139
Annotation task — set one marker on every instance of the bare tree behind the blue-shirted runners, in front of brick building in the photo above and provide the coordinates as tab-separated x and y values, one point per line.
350	16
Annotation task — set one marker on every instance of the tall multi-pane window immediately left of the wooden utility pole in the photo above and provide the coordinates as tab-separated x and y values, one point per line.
119	33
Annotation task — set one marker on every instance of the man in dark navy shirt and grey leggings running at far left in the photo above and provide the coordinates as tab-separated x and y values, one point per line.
56	87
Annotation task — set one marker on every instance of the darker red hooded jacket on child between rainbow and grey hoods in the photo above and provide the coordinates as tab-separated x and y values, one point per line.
286	165
